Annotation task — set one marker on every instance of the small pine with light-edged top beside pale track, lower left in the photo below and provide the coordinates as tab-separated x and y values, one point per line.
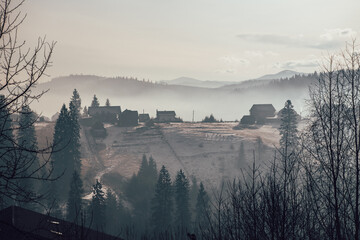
98	207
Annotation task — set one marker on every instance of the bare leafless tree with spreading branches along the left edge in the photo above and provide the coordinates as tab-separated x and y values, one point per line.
20	70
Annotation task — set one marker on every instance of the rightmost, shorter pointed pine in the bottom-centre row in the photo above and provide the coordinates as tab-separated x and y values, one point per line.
202	208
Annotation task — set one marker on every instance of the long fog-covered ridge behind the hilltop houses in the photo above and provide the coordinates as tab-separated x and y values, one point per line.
229	102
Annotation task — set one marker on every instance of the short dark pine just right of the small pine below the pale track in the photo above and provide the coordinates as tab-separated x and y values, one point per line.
111	213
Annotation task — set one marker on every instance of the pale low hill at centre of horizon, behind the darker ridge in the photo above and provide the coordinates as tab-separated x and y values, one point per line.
192	82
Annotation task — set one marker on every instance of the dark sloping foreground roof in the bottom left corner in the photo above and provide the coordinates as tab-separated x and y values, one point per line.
17	223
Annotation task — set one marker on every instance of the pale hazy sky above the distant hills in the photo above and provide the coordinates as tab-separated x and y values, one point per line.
204	39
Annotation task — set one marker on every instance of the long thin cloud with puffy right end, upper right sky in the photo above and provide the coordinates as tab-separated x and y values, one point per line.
329	39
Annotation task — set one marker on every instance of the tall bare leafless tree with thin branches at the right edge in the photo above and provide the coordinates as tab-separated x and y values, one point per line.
332	146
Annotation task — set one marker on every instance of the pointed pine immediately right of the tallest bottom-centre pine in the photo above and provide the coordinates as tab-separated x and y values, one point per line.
182	210
